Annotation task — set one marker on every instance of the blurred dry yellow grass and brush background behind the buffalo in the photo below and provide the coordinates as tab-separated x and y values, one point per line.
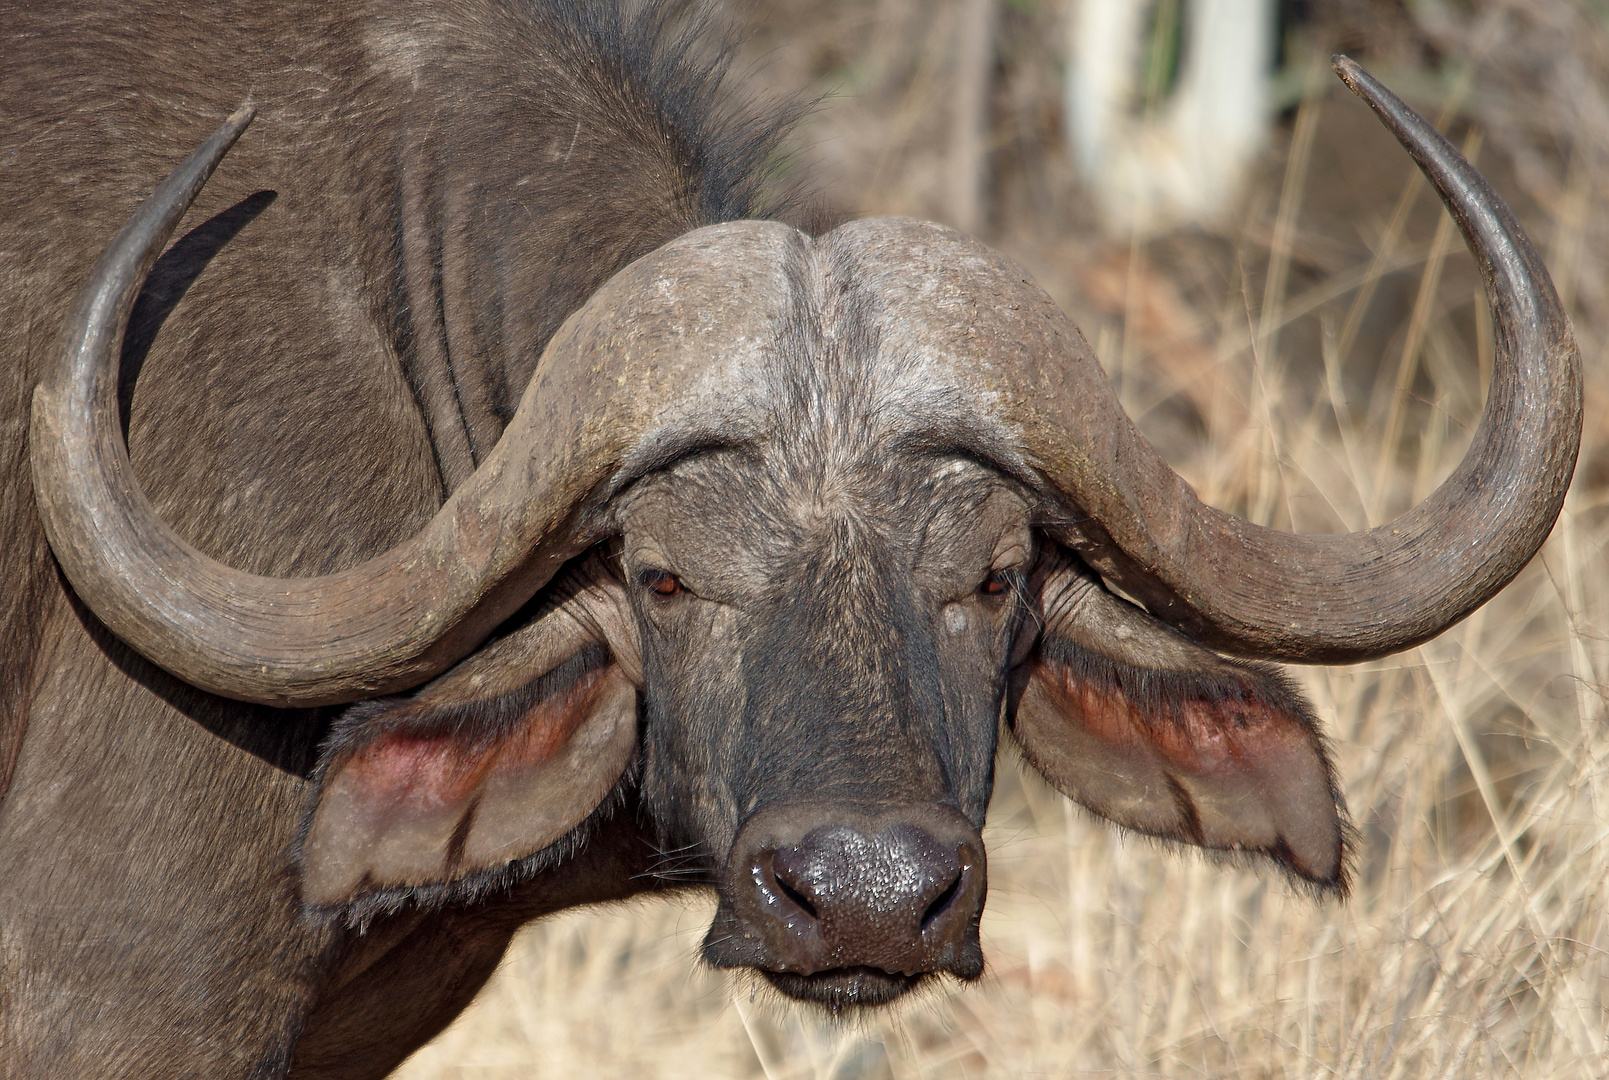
1291	318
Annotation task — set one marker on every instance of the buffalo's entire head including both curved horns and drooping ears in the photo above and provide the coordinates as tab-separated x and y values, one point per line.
781	534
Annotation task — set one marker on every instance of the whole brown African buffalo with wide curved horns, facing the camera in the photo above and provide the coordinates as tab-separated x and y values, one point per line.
480	394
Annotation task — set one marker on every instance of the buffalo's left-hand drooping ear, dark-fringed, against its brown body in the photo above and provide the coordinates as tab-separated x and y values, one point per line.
493	762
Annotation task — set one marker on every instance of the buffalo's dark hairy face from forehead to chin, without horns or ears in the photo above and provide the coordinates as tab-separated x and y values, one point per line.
826	649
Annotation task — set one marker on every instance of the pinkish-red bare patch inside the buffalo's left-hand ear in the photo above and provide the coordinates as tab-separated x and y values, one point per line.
445	770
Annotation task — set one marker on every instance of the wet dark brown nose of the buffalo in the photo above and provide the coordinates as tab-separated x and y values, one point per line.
818	889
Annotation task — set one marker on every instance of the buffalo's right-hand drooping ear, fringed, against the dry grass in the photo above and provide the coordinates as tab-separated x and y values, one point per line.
1161	736
